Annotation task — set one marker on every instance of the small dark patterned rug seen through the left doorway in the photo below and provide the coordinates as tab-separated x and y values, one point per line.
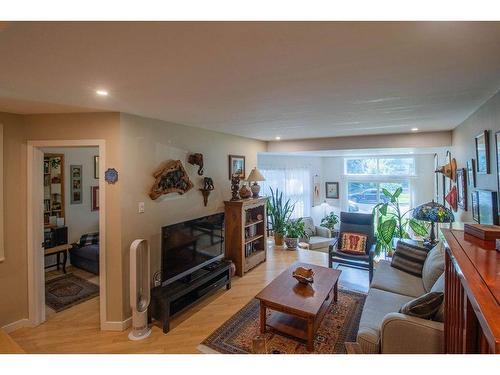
68	290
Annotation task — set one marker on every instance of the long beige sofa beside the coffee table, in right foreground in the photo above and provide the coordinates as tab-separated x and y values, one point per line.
383	329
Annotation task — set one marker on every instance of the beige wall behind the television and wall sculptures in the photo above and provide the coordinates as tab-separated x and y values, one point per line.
146	143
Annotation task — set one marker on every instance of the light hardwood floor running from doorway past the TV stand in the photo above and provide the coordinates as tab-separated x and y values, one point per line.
76	330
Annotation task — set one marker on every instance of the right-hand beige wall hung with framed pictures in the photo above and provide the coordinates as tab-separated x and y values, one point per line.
486	117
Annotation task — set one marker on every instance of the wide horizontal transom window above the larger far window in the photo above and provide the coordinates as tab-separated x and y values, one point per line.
380	166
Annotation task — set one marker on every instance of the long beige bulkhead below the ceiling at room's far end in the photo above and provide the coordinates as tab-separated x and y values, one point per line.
433	139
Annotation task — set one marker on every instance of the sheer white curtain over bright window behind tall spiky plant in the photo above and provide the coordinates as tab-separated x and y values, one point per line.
295	183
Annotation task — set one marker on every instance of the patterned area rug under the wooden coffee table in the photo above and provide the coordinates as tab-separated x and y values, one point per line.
339	325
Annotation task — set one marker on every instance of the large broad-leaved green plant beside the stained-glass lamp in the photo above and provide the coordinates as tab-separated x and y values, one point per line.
392	223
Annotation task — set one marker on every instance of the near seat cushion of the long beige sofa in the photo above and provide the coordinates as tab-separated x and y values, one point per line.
377	305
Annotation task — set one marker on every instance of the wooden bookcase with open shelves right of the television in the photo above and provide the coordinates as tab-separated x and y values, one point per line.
245	232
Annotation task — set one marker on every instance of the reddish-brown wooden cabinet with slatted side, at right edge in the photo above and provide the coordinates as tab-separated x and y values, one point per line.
472	294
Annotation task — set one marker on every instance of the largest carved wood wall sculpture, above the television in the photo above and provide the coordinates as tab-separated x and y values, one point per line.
171	177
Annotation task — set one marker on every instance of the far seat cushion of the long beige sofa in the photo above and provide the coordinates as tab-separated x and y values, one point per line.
393	280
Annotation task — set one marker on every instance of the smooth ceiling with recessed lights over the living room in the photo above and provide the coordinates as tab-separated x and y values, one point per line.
259	80
